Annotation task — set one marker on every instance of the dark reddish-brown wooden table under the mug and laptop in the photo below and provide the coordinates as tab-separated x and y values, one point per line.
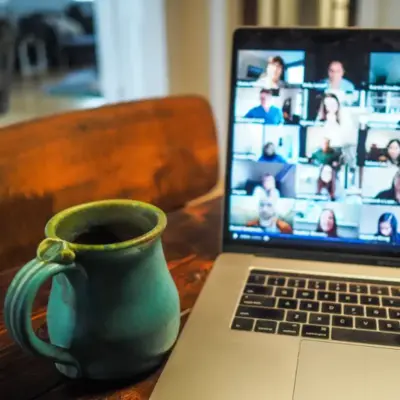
191	243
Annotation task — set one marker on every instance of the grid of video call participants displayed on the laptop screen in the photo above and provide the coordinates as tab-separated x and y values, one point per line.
353	123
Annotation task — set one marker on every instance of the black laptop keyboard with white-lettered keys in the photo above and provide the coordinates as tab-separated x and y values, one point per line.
348	310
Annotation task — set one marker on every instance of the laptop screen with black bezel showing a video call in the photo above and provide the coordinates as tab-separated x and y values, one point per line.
314	148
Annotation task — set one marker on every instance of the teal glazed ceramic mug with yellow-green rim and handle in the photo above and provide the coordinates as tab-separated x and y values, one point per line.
113	310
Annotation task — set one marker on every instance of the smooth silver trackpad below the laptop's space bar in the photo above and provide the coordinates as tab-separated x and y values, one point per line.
333	371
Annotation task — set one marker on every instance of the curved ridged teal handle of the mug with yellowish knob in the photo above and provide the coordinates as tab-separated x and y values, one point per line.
53	257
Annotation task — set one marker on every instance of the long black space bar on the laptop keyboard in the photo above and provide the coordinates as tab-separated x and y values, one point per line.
370	337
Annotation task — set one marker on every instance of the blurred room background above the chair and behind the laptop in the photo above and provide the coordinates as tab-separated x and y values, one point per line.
59	55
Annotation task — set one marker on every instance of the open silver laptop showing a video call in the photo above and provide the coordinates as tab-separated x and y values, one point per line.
304	301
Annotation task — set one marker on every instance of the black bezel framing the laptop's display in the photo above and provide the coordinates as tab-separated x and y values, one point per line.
263	39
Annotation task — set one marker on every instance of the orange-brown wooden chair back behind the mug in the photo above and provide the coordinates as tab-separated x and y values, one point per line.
162	151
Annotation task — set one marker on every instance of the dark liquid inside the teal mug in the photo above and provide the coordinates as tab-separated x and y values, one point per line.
109	233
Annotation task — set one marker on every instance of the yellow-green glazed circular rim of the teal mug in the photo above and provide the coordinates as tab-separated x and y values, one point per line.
53	223
